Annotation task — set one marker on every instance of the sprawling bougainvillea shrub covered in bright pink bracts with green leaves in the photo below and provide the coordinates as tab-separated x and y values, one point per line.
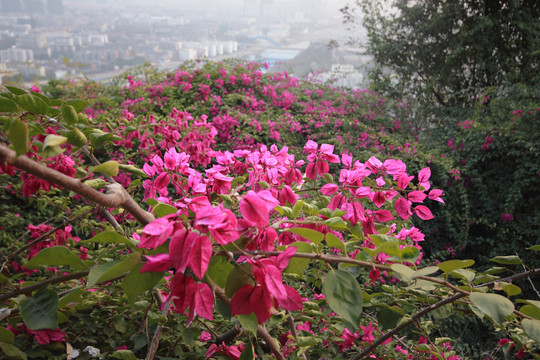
274	253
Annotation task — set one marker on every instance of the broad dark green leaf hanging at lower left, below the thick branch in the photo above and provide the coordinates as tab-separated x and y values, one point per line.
40	311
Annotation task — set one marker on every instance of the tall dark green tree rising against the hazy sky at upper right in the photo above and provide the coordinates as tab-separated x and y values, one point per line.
443	51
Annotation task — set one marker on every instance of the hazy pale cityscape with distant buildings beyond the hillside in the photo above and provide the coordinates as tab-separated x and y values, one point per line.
42	39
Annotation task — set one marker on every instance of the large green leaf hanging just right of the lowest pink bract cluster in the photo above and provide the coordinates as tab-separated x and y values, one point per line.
344	296
